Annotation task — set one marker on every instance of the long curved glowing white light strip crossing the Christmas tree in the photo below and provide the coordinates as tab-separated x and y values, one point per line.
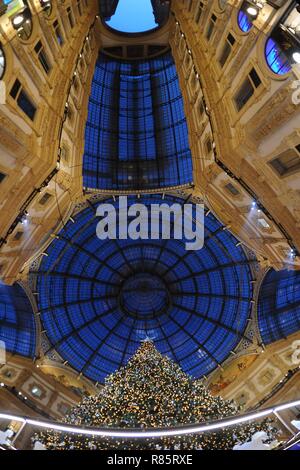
142	434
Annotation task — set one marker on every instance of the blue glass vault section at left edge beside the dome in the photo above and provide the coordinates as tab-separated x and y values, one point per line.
17	325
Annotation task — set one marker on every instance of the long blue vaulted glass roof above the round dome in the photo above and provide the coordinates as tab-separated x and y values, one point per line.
136	133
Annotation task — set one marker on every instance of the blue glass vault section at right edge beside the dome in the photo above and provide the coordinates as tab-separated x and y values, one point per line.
279	305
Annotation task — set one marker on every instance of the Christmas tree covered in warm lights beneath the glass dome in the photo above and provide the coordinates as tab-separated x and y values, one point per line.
151	391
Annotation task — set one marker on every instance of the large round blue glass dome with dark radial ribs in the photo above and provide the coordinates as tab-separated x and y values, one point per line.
99	299
